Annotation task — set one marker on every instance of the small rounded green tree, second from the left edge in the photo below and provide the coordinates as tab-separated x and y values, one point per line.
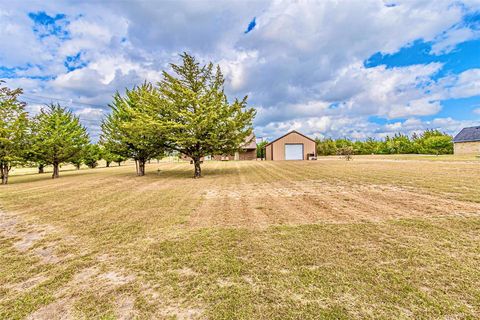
58	136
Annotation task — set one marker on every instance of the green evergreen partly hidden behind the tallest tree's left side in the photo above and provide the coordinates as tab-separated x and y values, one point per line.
125	131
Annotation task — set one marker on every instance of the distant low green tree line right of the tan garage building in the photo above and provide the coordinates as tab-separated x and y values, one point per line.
428	142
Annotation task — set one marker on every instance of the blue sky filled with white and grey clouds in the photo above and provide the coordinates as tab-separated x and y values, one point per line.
351	68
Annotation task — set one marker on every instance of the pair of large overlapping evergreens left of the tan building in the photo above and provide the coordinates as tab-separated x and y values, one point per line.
186	112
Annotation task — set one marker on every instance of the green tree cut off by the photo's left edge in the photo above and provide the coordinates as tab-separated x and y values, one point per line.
13	130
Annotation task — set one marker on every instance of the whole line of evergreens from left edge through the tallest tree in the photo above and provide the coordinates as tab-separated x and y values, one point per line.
187	112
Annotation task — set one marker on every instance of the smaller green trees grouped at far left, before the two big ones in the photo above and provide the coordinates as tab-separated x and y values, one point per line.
52	137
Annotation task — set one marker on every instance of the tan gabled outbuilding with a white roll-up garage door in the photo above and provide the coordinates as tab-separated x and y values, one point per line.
292	146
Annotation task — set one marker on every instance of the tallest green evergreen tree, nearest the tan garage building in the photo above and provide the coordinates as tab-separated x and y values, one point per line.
195	115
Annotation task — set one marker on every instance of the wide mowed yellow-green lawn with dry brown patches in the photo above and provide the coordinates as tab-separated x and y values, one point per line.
376	237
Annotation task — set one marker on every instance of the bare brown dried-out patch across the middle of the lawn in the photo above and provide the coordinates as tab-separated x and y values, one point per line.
306	202
